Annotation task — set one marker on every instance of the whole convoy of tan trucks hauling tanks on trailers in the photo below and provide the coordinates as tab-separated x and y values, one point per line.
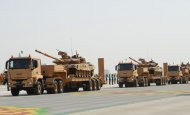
69	73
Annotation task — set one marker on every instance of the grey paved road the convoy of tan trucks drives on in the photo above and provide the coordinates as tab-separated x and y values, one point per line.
108	96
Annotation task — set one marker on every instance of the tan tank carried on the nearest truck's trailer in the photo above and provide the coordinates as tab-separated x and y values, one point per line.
75	65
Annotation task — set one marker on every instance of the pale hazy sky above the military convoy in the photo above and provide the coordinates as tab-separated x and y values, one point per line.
112	29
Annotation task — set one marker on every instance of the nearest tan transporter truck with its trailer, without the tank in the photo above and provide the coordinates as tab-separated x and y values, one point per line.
27	73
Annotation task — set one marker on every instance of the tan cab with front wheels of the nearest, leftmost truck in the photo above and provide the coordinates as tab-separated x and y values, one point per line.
24	73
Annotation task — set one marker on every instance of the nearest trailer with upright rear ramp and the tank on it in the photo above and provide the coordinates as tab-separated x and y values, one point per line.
79	73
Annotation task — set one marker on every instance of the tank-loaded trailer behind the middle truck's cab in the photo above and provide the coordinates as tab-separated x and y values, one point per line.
150	72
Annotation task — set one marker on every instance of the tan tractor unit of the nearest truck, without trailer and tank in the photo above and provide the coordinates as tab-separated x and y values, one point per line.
27	73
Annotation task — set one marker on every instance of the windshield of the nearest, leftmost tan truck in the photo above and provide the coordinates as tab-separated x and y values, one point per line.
19	63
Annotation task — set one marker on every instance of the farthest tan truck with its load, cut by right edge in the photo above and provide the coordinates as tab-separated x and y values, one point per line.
177	73
